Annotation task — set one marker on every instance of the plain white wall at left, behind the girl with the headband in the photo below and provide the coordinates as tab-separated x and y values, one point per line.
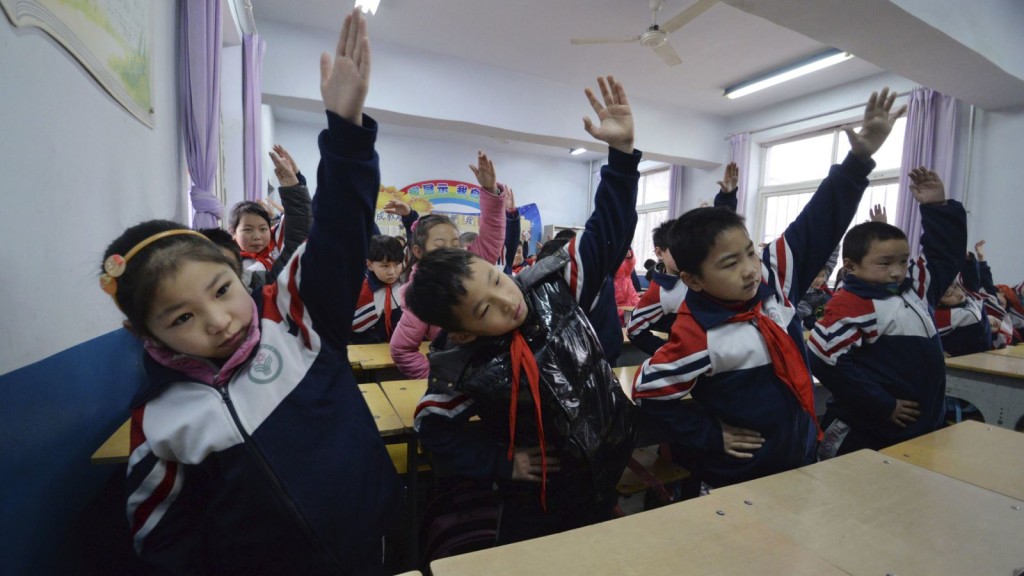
78	170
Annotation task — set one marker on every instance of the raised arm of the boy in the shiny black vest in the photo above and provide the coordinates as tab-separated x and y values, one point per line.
598	253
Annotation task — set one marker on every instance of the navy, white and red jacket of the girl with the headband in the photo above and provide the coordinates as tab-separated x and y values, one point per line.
272	464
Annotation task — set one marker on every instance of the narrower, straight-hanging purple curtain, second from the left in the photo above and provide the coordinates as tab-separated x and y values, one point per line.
252	95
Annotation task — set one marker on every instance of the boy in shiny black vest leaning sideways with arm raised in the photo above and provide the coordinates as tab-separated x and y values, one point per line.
521	354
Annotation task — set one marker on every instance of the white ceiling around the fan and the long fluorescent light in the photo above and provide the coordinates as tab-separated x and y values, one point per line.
720	49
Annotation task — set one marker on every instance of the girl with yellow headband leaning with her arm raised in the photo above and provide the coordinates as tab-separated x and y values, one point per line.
252	449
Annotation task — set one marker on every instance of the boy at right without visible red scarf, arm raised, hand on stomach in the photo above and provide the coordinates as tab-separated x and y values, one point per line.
877	349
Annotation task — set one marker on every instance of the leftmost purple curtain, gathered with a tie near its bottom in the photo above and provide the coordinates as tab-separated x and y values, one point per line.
200	99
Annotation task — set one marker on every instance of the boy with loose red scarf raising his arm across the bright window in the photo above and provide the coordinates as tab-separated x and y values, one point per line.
738	346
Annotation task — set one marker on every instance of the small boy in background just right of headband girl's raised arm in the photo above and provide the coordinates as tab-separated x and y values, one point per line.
379	307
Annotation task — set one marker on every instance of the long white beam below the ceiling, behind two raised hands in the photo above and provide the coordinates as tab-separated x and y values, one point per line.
420	85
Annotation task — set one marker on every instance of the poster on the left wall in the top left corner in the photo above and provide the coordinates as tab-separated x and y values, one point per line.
110	38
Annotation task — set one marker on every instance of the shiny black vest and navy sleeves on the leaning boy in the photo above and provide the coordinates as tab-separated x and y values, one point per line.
586	416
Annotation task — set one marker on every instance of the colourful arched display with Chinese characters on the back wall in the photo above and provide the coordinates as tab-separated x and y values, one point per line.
458	200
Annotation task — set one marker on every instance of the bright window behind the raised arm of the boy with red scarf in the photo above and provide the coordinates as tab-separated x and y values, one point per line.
794	169
